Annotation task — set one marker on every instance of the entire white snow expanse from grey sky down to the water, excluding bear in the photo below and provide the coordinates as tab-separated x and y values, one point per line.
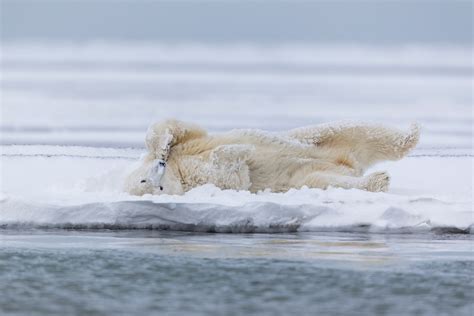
74	119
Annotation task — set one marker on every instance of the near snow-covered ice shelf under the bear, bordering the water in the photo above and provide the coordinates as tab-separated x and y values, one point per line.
82	189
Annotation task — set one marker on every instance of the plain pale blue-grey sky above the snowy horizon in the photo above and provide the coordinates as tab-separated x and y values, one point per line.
386	22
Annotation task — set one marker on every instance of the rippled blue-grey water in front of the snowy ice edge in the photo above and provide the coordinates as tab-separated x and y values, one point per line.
54	272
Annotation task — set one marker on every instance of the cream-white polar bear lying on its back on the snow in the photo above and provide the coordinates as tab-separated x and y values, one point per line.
182	156
